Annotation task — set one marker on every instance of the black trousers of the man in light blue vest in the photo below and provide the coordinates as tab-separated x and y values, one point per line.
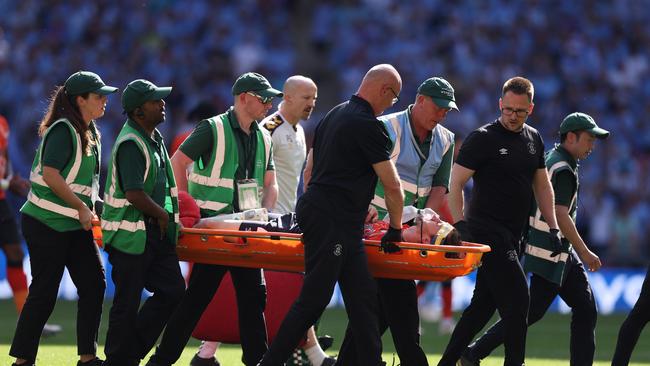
398	311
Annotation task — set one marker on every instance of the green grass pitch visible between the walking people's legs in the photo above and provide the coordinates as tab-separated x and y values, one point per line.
548	341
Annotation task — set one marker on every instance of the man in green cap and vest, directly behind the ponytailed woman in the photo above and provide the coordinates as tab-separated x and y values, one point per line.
140	227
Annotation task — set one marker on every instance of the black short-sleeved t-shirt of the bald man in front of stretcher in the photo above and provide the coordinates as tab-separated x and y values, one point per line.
348	141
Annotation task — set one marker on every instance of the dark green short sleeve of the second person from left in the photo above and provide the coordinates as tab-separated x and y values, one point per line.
131	164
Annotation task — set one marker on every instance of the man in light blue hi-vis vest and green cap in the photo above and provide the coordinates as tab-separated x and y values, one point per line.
422	152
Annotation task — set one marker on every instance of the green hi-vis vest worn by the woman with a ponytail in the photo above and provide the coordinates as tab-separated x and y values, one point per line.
81	175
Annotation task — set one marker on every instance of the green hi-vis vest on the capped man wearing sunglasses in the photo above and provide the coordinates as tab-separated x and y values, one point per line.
212	184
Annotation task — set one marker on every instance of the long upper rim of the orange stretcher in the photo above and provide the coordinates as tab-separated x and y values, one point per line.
467	247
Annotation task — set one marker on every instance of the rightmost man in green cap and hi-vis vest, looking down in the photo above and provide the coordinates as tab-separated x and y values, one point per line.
558	271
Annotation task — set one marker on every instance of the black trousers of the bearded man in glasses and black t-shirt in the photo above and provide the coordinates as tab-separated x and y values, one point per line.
500	285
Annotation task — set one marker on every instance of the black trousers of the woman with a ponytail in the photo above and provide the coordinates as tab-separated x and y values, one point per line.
50	252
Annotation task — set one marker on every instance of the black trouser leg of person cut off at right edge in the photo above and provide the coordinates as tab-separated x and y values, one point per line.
631	329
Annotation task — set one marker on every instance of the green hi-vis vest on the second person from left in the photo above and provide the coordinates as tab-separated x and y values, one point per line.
123	225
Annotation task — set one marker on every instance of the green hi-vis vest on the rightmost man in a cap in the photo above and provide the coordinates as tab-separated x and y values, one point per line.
538	250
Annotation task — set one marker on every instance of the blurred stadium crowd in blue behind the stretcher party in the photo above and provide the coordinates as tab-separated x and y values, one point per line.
581	56
